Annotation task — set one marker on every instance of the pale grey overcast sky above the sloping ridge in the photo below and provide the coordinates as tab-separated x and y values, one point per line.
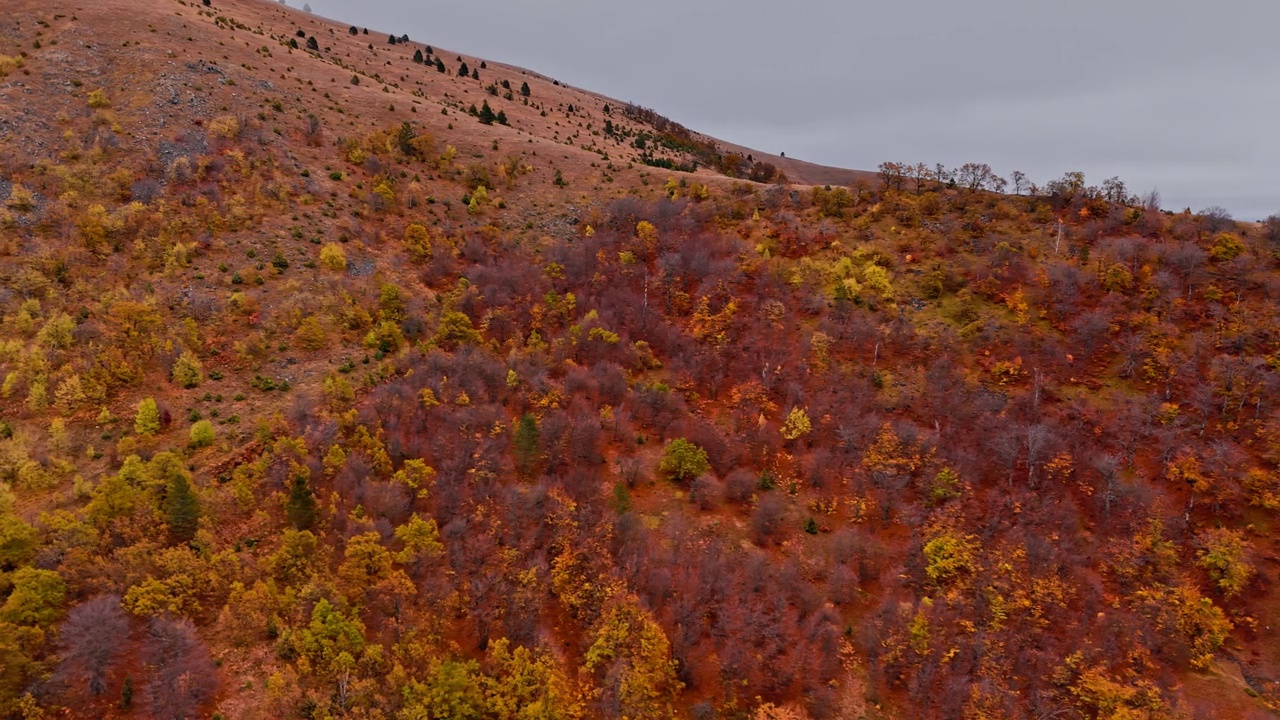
1177	95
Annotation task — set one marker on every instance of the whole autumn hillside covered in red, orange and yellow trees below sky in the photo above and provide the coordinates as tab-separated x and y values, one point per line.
323	397
